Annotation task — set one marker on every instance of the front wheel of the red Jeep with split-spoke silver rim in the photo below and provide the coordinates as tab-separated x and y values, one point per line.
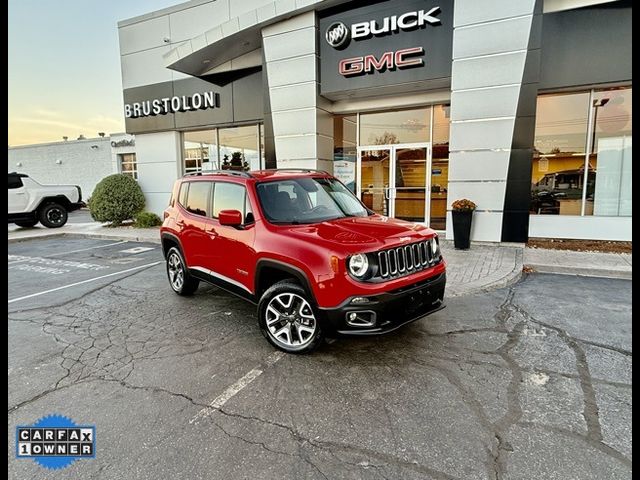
288	318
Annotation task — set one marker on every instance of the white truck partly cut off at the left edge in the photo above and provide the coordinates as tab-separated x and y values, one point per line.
30	202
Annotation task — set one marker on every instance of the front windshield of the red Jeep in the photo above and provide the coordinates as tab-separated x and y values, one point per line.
307	200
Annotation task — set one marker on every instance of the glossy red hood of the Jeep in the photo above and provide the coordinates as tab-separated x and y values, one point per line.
360	234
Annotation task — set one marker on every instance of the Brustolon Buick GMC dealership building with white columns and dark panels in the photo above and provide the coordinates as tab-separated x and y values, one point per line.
523	107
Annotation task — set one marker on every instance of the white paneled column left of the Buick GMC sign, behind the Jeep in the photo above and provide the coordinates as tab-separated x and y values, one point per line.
302	125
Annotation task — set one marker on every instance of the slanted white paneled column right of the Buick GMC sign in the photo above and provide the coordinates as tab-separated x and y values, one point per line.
491	41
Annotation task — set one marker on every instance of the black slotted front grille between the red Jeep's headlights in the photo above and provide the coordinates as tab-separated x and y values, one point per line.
401	261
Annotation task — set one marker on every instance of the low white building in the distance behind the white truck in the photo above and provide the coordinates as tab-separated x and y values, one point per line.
81	162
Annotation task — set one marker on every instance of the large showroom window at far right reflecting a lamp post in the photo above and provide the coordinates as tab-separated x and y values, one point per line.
582	154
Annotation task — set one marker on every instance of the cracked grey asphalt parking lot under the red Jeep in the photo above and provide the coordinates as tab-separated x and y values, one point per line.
528	382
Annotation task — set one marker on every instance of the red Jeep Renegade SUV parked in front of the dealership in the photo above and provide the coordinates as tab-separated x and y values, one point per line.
303	248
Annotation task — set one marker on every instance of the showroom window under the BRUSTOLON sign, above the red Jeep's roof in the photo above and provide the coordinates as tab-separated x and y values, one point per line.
231	148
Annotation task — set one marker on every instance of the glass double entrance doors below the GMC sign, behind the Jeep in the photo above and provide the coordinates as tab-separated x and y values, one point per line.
392	180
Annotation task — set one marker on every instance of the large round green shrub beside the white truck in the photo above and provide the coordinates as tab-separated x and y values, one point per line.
115	199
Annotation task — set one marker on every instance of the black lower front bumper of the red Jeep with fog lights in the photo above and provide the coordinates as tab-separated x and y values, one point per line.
385	312
